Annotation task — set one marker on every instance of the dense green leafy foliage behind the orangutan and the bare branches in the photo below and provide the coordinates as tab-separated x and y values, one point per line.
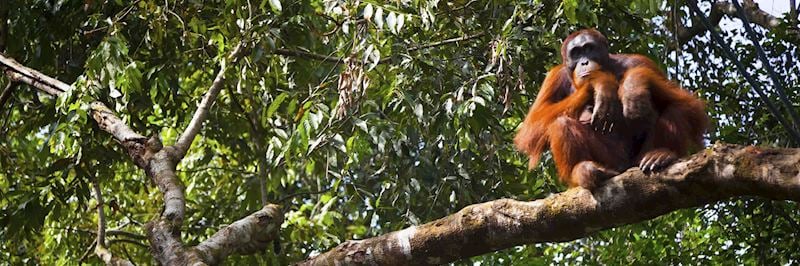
365	117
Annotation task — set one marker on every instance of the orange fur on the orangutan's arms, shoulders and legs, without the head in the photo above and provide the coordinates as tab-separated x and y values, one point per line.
554	125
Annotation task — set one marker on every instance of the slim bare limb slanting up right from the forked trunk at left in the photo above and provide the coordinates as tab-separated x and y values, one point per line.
185	140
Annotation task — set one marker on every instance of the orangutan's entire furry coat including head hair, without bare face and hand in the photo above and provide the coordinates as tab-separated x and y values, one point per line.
660	120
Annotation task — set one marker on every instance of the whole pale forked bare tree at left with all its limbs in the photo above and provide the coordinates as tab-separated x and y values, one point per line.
159	163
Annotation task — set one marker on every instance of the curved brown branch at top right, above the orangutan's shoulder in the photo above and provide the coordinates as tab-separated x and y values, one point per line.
721	8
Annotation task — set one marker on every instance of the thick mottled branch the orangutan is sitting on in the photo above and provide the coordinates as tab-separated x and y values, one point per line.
718	173
